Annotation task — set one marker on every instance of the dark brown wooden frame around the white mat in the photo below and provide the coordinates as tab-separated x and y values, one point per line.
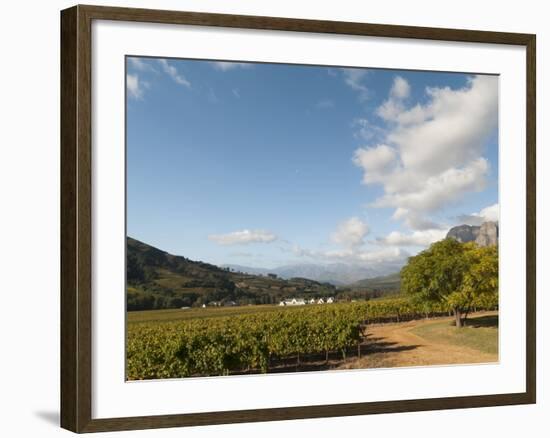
76	243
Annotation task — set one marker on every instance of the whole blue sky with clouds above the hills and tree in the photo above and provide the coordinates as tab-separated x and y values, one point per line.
269	164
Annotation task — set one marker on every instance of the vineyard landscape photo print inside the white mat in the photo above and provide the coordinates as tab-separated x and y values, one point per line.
292	218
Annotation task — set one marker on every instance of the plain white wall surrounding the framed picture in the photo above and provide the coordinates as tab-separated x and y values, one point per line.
29	241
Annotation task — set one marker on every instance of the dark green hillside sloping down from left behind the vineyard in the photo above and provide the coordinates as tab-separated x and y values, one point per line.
159	280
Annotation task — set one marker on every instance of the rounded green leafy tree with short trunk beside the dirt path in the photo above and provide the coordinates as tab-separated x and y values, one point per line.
457	275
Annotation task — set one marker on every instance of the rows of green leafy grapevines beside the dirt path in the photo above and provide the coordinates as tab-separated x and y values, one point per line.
253	342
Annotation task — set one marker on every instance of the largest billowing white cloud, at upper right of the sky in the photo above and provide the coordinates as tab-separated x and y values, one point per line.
432	153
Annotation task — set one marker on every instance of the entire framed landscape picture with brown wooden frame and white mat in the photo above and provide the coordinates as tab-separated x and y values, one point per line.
270	218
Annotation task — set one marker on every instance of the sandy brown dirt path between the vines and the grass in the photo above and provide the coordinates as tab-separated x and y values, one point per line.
394	345
